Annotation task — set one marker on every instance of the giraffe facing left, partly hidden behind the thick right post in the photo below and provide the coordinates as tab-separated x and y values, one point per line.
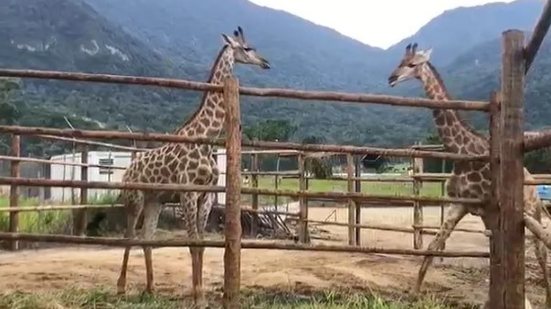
469	179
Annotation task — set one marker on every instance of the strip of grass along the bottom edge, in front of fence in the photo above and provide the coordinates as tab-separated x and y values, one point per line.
101	298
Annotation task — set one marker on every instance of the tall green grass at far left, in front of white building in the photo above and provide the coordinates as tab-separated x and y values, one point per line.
35	222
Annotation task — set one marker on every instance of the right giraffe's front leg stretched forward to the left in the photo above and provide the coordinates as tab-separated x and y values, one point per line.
455	213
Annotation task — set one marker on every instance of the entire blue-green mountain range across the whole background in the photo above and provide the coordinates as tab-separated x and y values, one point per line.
180	38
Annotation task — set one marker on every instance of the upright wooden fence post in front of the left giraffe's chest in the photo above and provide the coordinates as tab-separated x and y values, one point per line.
232	230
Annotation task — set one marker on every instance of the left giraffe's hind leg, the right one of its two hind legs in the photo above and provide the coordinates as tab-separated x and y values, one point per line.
150	218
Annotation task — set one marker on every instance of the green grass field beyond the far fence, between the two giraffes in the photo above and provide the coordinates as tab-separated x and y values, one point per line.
318	185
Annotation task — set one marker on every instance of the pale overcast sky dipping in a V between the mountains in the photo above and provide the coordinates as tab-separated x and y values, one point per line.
378	23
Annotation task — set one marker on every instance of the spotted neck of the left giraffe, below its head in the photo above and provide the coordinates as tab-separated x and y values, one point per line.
208	119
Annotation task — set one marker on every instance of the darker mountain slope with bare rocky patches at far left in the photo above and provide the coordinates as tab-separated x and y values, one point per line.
71	36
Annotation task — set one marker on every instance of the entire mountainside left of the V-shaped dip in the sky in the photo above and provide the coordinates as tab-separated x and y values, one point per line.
303	55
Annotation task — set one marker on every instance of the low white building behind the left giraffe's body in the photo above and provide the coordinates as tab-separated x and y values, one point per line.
113	158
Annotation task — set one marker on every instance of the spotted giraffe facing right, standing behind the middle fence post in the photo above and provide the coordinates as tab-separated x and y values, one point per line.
184	164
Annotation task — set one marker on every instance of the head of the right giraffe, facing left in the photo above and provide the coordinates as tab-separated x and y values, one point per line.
410	65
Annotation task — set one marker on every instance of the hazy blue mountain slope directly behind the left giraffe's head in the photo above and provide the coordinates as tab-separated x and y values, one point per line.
303	56
